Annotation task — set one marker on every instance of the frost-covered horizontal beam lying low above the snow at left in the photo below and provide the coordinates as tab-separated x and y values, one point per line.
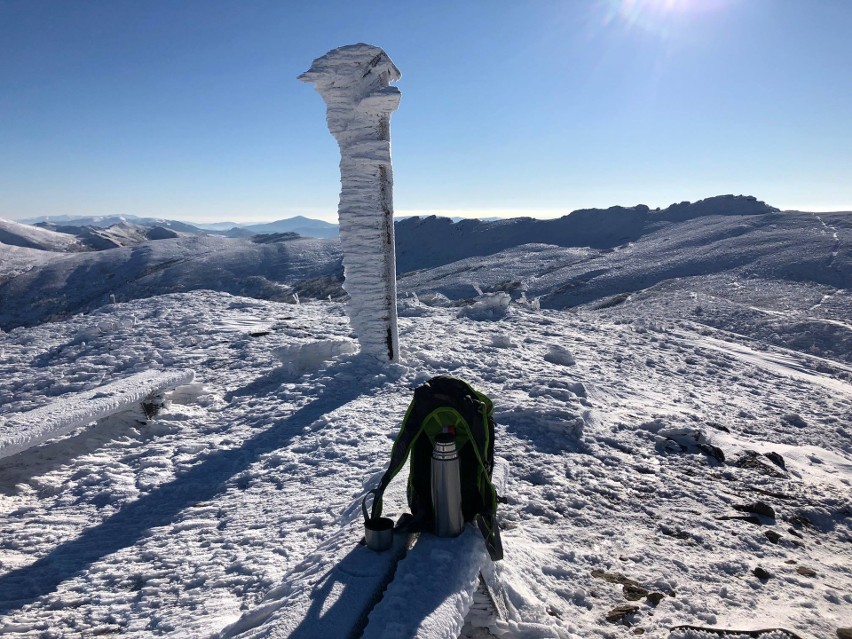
23	430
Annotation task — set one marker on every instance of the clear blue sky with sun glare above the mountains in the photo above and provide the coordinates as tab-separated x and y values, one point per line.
191	110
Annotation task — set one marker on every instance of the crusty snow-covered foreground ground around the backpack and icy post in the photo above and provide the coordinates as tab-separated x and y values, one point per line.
663	472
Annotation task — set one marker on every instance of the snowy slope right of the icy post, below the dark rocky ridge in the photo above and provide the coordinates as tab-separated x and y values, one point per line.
784	277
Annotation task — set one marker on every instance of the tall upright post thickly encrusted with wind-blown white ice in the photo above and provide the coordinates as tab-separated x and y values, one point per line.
355	82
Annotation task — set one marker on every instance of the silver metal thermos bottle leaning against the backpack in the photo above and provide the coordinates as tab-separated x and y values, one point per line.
446	487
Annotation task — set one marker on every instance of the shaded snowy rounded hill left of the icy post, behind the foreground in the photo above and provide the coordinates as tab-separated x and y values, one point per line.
84	281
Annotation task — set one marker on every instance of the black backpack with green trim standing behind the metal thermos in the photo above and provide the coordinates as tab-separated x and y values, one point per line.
441	403
